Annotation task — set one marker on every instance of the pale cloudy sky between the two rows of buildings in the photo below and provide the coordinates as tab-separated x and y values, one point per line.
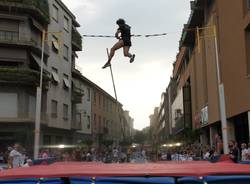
139	85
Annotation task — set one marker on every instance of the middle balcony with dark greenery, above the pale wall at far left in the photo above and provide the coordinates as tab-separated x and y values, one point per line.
22	76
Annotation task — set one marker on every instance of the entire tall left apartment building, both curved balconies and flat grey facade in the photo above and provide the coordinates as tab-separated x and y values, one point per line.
21	26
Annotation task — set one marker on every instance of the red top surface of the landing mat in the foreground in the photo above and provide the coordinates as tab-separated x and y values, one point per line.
72	169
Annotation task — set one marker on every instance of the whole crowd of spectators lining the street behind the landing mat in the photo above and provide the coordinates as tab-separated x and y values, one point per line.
16	156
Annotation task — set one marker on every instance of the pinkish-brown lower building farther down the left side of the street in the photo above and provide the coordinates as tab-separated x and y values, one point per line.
107	116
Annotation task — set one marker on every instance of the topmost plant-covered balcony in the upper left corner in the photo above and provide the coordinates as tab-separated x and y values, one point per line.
37	8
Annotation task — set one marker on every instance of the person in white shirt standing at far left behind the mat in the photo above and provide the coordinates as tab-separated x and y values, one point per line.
15	157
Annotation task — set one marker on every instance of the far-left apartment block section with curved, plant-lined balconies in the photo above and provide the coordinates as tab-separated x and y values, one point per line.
21	25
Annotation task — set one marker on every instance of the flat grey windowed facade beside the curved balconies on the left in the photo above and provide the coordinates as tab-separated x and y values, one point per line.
63	47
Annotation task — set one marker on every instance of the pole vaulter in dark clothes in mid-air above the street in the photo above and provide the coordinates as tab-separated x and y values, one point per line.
124	36
